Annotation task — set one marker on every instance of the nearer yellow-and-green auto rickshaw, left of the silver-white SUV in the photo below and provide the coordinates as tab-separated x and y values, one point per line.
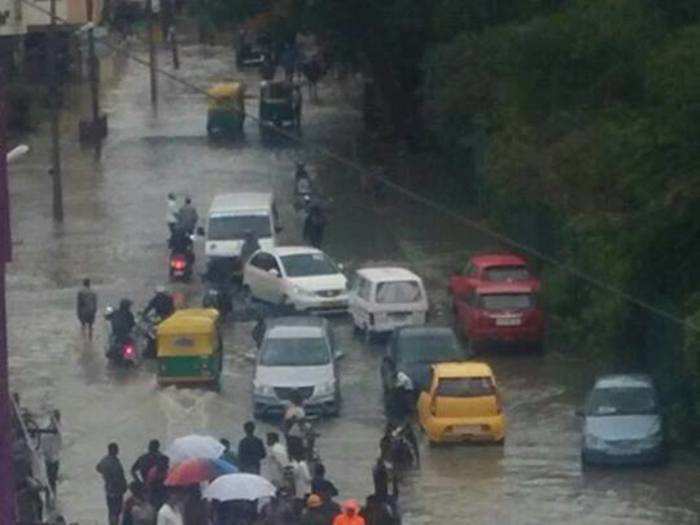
190	349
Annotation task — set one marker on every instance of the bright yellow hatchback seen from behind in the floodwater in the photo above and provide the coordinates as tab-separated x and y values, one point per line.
462	403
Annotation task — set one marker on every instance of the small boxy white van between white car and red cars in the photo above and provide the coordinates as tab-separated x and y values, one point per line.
383	299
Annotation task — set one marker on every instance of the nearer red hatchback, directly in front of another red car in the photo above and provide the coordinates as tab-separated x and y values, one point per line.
500	314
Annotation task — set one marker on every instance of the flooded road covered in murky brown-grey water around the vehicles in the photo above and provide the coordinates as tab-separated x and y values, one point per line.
115	233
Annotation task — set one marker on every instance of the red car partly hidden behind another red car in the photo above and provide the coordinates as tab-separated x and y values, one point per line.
492	268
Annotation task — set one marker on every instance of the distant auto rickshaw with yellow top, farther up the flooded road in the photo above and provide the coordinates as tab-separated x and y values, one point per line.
226	114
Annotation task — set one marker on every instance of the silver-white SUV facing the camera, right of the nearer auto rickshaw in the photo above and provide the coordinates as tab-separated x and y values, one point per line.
297	354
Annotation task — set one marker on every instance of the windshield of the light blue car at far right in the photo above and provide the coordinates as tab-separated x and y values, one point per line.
628	401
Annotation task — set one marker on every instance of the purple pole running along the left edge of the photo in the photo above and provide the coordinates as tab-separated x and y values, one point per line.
7	489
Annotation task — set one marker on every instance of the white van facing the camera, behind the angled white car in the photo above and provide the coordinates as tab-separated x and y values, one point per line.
232	214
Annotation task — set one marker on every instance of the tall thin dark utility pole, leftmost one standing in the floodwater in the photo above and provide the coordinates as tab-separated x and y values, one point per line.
54	94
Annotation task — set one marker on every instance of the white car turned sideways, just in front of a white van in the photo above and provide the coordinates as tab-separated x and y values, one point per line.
300	276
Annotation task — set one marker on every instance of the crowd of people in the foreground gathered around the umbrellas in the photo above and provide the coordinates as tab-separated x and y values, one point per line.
304	494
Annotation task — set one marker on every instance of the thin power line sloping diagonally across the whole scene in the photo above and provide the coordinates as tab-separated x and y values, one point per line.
416	197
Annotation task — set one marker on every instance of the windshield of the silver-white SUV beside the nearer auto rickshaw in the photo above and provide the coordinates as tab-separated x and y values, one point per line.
306	351
